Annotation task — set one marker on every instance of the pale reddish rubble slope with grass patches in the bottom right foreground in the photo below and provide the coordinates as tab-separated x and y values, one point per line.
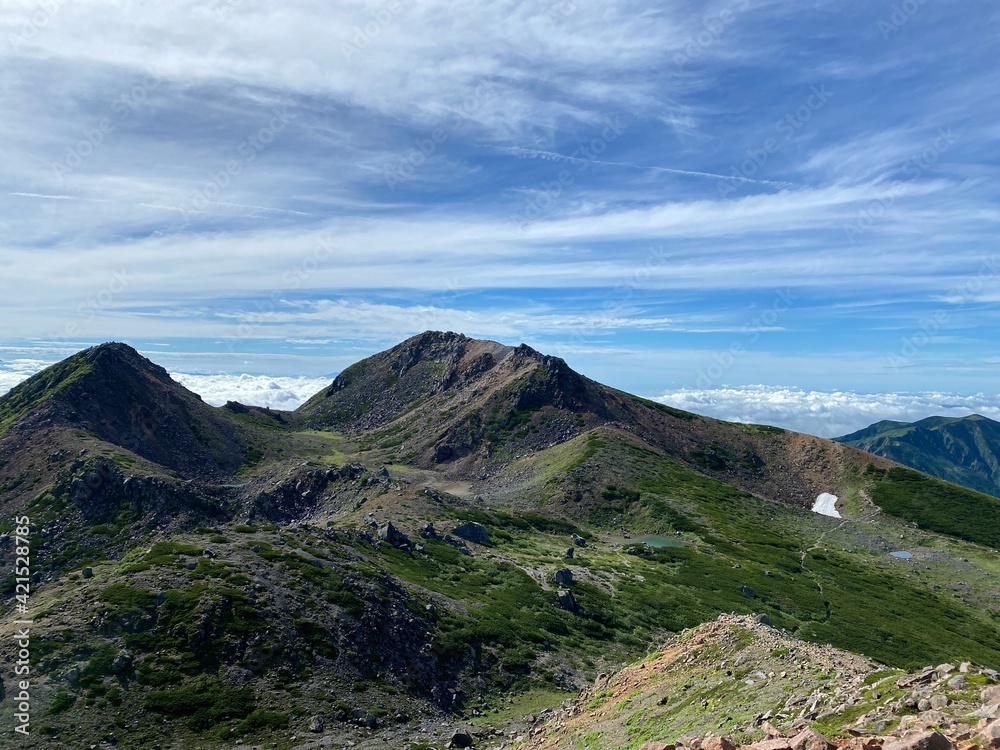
739	682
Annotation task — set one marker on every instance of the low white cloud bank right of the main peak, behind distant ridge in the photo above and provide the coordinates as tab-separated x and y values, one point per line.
826	413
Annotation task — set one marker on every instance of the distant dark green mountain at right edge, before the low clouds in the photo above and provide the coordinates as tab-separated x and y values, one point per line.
964	450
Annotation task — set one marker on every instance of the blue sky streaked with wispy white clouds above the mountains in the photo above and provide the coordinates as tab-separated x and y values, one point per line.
676	197
